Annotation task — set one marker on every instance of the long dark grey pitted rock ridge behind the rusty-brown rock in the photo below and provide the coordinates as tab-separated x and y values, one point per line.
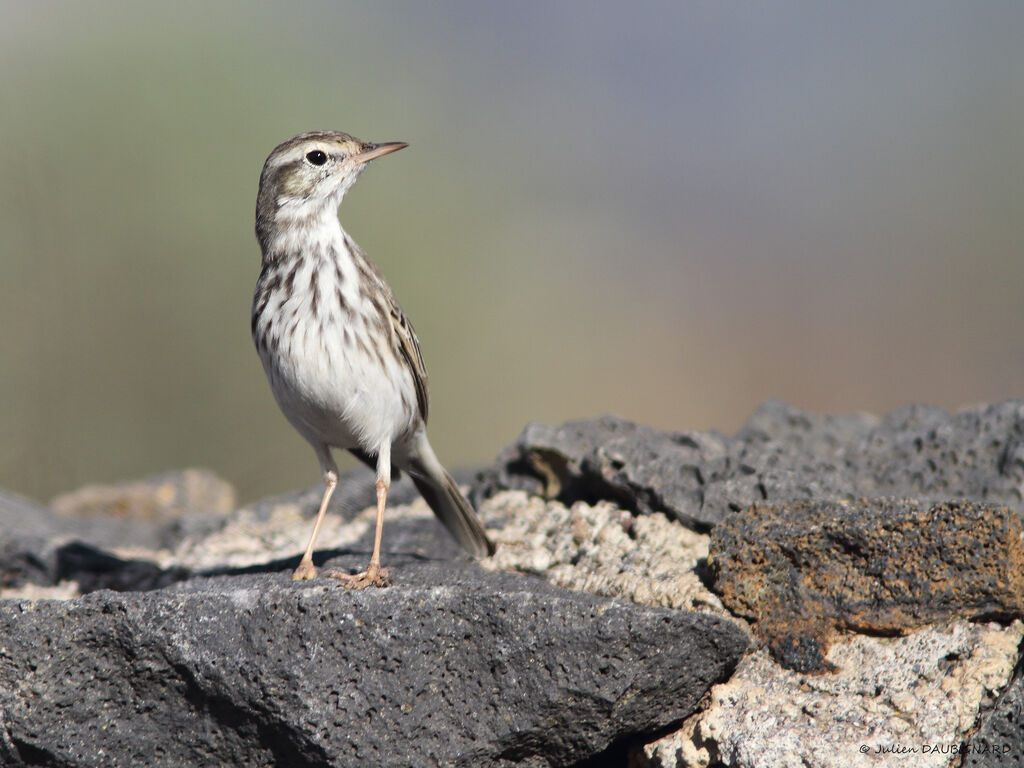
782	454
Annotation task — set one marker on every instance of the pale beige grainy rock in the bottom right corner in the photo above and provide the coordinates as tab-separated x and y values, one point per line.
918	696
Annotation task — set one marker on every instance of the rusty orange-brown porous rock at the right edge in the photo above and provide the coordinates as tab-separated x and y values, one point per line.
879	567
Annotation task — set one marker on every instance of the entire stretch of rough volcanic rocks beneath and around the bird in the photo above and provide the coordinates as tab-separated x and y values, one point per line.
625	513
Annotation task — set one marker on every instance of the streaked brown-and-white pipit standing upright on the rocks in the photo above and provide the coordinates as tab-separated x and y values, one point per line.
343	359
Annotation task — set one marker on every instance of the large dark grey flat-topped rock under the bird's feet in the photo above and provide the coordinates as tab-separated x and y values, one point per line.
472	669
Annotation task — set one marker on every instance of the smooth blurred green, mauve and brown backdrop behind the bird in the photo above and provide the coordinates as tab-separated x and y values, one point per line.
669	211
